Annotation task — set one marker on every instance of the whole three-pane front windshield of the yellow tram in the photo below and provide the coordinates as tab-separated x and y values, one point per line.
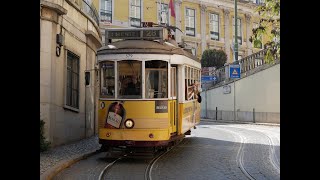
129	79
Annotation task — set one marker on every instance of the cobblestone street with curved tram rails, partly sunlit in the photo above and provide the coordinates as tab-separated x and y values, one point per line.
212	151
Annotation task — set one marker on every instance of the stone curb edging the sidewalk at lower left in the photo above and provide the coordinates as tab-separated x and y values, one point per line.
50	173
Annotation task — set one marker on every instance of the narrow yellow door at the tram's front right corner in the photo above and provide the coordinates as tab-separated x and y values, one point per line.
174	101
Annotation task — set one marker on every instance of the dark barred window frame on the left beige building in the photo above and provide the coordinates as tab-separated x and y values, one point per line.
66	105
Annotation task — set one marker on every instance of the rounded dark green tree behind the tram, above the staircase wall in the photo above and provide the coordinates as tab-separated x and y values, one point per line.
213	57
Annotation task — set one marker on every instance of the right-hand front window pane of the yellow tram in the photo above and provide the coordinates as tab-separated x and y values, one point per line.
156	79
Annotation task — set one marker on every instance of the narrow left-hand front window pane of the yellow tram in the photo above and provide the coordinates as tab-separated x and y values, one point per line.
107	80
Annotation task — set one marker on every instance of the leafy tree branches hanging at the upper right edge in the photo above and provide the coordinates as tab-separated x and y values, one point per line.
269	25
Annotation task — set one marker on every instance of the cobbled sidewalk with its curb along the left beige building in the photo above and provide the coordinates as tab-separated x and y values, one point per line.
58	158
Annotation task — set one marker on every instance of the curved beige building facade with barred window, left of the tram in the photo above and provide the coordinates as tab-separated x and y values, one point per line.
69	39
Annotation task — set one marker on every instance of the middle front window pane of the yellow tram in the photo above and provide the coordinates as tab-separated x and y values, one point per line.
129	79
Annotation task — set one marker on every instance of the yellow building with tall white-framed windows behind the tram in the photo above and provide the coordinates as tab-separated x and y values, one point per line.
205	24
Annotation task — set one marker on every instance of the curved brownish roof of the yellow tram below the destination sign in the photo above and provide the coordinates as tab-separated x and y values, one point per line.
144	46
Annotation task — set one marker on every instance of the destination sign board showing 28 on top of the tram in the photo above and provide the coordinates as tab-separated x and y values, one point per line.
136	33
